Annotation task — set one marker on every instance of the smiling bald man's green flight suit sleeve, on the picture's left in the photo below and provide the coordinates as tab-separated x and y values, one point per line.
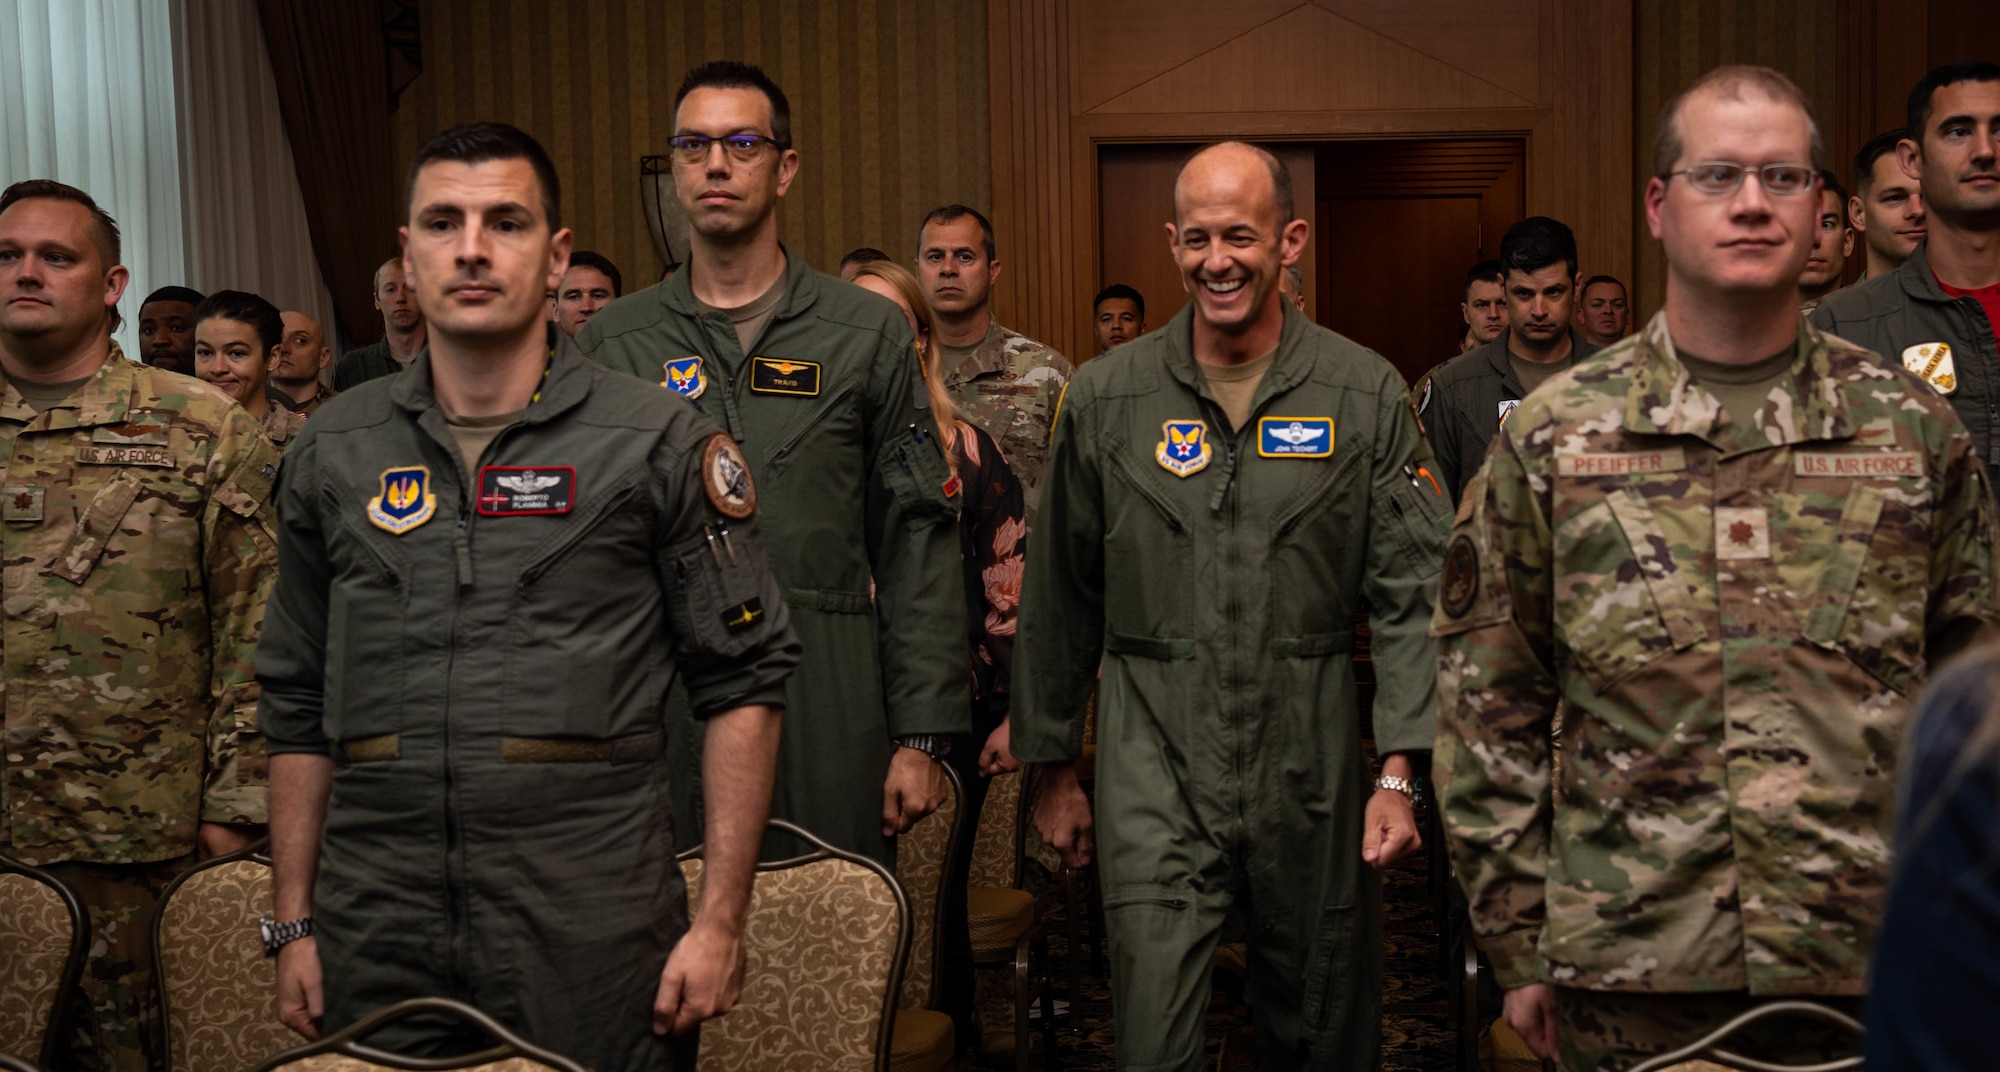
1061	633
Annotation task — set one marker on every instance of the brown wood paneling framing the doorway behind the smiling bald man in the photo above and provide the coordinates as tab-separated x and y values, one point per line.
1071	77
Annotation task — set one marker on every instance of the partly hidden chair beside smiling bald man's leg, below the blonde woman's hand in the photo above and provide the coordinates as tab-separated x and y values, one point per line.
1003	915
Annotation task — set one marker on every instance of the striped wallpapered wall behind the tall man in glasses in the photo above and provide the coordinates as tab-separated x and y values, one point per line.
889	105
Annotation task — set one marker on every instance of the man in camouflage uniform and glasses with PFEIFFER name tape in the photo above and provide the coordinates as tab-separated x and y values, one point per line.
1733	549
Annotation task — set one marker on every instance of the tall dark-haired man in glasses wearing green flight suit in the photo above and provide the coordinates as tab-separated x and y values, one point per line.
819	383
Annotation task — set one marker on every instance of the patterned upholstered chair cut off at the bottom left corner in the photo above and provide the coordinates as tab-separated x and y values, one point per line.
43	939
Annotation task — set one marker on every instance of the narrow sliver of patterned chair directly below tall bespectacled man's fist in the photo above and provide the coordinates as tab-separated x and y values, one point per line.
925	1039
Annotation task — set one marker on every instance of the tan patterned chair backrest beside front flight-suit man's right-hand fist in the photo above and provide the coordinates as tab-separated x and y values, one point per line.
827	939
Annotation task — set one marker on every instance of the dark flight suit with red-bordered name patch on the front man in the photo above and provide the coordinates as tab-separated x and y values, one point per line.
485	655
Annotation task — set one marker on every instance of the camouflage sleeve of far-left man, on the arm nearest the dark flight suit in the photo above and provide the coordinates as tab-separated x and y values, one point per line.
241	565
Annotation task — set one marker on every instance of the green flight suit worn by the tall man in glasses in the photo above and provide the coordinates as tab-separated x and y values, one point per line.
833	415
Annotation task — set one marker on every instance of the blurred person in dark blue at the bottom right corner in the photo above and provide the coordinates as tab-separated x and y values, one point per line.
1937	965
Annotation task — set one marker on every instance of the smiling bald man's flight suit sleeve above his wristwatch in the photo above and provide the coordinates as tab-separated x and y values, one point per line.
1405	547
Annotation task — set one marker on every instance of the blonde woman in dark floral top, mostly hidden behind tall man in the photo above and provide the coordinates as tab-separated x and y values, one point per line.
995	539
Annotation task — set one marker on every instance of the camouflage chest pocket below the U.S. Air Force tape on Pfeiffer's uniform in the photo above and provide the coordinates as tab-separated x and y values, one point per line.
1855	609
